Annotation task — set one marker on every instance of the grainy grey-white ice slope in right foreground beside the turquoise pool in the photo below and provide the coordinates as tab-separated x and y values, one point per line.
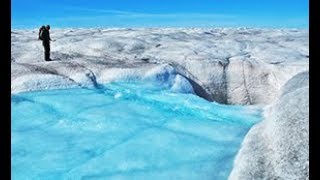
278	147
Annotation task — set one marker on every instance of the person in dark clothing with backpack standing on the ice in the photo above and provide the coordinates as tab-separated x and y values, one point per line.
44	35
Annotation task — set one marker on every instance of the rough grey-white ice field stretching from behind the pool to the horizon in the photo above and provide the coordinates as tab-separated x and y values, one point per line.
227	65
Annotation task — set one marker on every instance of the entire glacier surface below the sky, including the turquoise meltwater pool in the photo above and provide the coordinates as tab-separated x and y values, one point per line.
242	66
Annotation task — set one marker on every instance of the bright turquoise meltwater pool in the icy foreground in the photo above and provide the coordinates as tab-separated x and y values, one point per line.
122	130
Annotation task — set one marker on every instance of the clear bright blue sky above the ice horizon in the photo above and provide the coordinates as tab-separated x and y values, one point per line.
160	13
